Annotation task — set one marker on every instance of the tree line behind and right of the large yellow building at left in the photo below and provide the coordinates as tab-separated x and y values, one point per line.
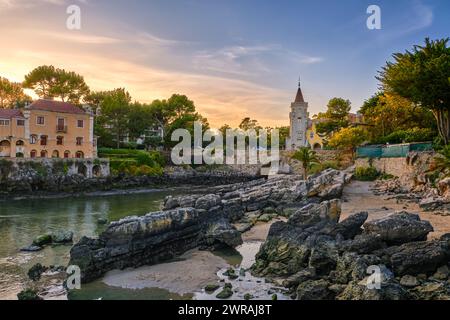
117	116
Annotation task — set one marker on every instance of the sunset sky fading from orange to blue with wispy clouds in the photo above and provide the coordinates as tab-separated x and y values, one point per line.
234	58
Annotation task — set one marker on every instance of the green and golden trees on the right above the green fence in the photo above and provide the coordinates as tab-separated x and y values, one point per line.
412	104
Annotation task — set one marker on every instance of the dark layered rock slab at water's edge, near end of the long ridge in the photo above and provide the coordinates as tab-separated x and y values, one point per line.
156	237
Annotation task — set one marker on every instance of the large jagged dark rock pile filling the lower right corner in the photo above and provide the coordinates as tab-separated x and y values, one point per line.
319	258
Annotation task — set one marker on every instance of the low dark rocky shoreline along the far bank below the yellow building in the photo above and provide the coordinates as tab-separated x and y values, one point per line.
60	186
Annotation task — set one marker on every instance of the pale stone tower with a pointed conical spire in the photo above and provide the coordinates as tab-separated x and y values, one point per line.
298	122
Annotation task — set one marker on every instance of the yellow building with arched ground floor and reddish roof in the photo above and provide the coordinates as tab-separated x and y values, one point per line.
47	129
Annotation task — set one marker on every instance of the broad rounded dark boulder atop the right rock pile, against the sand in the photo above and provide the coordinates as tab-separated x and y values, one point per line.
398	228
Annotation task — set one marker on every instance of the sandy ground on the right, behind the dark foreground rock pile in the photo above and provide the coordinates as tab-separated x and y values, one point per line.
358	197
